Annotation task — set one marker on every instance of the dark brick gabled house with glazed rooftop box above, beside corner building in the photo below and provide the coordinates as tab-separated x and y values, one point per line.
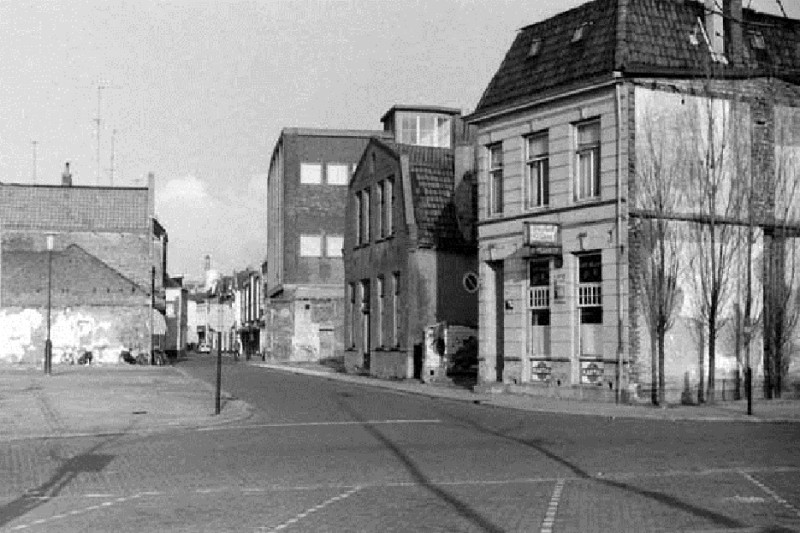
409	247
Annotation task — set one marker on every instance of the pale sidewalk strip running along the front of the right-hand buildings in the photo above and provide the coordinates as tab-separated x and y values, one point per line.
785	411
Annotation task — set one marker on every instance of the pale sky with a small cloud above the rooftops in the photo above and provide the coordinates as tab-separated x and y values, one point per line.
197	92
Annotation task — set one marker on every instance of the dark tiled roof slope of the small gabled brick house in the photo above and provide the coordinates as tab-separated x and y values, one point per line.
432	186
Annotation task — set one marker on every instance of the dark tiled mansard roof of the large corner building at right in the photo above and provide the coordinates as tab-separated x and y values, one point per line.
634	37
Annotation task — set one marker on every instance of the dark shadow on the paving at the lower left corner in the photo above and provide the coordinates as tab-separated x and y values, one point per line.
90	461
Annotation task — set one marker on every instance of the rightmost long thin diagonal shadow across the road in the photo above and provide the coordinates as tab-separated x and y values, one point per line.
537	445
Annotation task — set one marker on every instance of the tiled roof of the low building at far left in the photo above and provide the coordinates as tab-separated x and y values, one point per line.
43	207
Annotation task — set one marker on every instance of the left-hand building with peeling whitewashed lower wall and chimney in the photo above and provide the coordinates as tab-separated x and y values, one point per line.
92	259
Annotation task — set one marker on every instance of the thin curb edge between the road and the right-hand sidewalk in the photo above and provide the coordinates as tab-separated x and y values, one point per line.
493	402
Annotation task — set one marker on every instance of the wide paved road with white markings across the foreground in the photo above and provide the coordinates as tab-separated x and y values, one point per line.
321	455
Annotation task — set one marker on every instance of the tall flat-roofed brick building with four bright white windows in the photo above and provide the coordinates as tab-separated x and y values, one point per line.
307	189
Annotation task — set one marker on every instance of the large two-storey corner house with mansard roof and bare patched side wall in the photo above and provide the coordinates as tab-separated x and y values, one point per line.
584	111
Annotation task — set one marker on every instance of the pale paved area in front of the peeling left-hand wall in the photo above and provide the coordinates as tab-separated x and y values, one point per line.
92	400
